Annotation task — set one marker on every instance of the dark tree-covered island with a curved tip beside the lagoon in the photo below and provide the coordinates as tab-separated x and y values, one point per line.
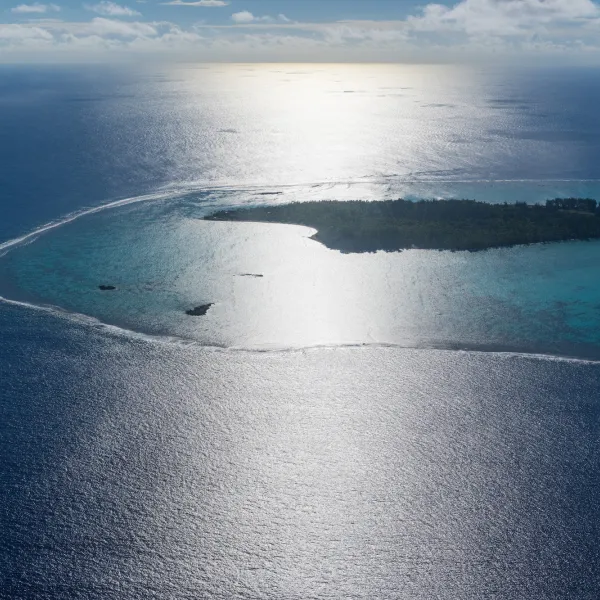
391	225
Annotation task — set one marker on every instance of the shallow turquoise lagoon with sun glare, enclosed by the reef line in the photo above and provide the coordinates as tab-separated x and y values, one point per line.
273	287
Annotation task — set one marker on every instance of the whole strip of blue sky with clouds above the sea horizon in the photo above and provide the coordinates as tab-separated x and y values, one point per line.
517	31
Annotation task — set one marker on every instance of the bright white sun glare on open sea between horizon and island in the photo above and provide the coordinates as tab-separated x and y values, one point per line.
315	122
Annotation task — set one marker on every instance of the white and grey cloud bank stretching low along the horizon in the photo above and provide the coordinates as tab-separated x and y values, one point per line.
468	30
